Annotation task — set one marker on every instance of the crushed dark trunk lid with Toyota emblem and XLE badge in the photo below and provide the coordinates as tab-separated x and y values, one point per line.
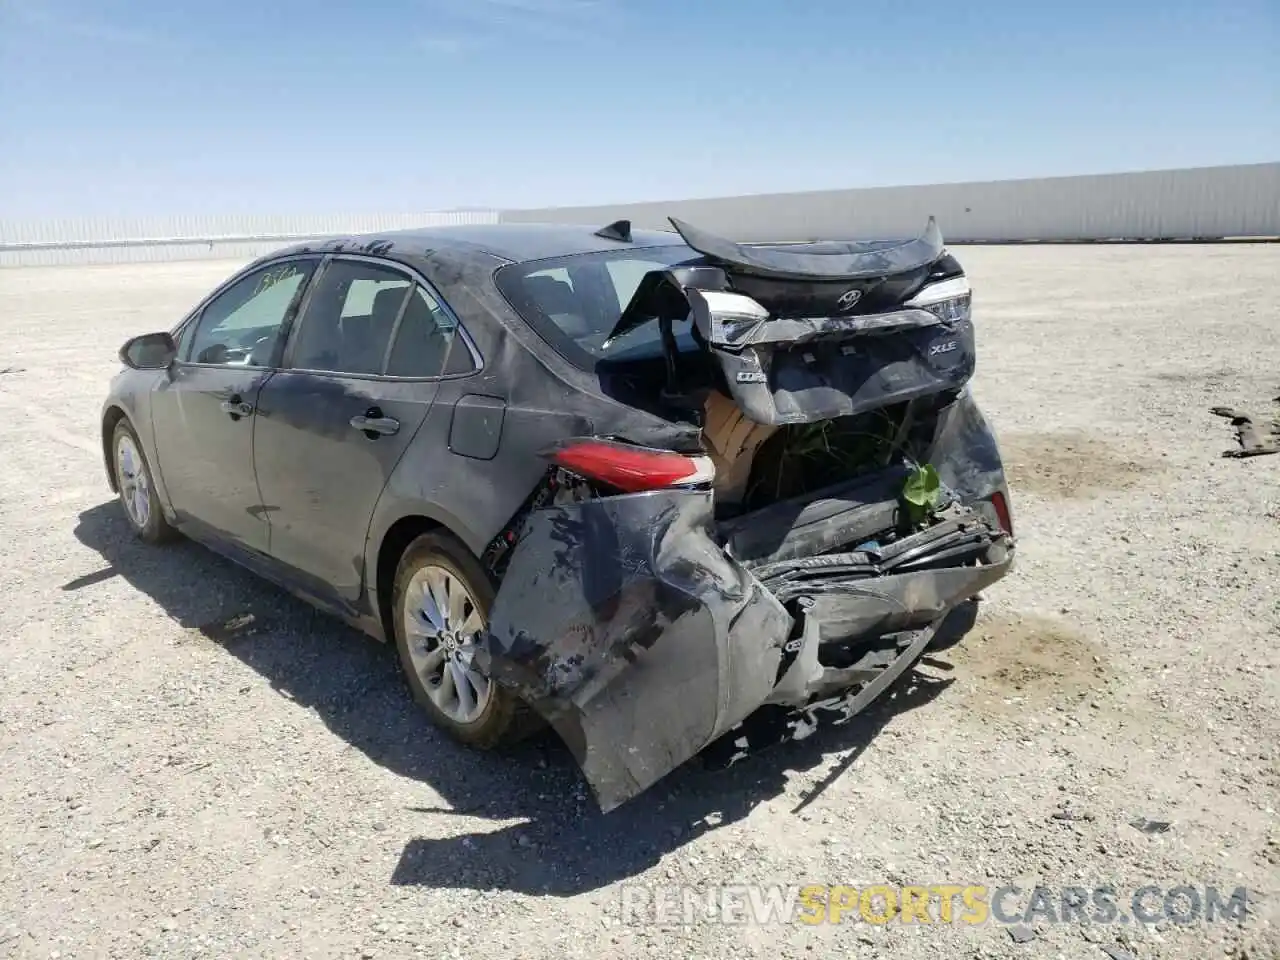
816	331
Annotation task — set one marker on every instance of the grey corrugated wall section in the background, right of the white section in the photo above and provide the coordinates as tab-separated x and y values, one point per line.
1208	203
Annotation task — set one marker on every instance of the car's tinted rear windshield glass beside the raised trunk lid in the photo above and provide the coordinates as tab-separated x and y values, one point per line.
574	303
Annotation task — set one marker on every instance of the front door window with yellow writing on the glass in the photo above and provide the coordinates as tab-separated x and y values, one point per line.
241	326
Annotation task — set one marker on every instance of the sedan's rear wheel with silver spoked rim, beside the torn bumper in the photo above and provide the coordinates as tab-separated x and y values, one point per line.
500	717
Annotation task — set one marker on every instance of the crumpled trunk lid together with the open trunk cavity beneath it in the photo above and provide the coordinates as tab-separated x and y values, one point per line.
806	367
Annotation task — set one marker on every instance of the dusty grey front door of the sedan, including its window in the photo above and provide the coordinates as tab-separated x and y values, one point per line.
204	413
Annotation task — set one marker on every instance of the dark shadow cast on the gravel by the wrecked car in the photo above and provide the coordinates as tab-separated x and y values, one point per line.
561	844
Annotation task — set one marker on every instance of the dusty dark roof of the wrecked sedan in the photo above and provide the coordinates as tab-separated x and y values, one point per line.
509	241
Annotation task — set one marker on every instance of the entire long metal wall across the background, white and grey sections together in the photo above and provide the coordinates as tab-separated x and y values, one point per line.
1206	203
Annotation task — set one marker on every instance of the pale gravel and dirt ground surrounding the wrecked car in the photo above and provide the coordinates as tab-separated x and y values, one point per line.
171	787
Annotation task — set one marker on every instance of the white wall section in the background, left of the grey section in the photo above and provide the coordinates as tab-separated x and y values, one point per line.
127	241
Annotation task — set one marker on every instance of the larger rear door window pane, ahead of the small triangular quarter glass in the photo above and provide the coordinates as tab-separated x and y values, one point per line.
350	318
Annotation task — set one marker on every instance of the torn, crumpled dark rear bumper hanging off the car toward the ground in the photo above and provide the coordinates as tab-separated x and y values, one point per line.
627	625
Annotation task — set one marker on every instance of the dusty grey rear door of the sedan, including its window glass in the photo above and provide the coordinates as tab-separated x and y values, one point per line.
360	373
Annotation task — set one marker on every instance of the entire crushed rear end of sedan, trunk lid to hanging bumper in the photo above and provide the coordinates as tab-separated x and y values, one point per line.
656	602
